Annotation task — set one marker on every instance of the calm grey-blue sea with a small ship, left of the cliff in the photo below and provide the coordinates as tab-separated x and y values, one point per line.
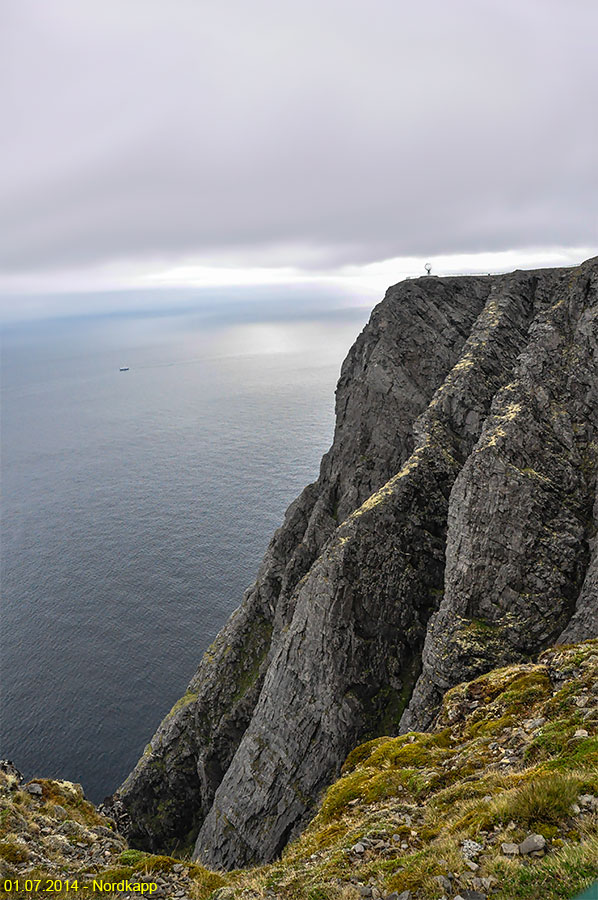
136	508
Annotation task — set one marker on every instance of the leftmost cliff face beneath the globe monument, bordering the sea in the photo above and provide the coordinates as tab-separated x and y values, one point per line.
413	339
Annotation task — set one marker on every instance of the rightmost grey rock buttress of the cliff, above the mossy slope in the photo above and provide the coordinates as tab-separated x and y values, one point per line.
521	515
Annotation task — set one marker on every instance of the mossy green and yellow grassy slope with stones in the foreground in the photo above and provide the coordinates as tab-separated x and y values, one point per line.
504	761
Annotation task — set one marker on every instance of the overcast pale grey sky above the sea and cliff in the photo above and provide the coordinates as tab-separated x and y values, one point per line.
170	141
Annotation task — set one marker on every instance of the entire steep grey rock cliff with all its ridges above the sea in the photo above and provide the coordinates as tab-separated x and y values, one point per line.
451	529
